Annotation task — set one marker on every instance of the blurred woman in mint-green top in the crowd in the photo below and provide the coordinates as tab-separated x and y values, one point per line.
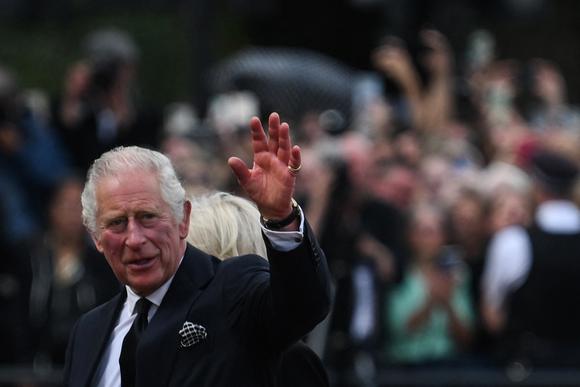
429	314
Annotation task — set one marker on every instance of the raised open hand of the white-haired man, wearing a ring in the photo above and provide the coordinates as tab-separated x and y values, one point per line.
271	180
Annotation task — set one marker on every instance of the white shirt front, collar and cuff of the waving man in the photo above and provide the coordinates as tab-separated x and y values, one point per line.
109	373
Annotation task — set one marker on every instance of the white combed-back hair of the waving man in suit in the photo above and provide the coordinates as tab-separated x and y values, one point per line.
122	159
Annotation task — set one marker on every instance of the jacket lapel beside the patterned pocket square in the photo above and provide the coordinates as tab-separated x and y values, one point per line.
160	342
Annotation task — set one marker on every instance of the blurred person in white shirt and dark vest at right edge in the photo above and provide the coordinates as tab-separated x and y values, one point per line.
531	272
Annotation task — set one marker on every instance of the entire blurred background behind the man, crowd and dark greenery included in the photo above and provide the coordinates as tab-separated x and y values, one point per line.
424	126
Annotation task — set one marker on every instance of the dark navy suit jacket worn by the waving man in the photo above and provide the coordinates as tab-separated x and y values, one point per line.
251	310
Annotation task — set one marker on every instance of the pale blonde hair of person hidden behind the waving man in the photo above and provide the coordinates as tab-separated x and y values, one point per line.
225	225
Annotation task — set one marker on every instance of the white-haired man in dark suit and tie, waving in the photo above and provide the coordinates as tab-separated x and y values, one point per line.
185	318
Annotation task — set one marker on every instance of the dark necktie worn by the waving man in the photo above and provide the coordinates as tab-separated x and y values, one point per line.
129	349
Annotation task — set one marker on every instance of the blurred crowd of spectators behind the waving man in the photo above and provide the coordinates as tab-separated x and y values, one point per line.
412	190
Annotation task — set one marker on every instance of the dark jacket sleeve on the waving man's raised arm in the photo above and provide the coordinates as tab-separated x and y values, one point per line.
280	305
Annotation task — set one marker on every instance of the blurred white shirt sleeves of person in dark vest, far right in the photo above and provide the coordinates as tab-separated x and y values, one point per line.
509	257
